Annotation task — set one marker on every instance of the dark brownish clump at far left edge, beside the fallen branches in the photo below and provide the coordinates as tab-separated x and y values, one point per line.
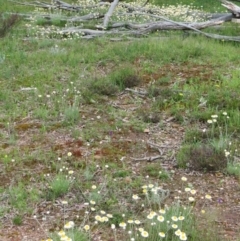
6	24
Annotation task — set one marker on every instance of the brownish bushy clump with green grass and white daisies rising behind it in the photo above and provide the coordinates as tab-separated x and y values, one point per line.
205	150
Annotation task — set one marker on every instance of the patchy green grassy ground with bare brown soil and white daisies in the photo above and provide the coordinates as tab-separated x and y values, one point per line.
81	121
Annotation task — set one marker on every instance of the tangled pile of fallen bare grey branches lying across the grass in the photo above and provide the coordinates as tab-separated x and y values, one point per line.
128	28
